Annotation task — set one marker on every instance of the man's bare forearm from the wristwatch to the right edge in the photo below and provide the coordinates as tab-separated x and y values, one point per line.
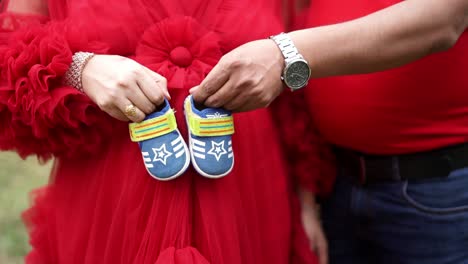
386	39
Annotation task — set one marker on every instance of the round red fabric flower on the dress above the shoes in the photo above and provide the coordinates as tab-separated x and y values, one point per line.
181	50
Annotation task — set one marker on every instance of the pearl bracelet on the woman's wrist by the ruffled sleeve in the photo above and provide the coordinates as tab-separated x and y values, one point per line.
73	75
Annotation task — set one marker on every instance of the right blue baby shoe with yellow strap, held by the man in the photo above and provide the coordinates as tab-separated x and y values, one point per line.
210	132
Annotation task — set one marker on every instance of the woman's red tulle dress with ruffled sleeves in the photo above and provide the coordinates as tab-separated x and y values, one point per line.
101	206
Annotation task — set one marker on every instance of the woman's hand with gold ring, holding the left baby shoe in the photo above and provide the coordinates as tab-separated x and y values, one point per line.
116	83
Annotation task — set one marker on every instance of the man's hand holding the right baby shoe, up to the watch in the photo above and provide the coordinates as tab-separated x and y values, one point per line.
247	78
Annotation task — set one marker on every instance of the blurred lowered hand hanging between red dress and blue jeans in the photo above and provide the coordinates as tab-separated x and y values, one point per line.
312	226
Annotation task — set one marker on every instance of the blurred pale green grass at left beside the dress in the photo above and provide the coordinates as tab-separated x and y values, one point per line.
17	179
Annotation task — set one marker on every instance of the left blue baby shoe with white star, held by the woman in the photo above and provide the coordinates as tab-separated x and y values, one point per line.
164	151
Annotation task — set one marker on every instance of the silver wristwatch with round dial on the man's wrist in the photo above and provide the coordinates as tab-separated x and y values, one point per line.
296	73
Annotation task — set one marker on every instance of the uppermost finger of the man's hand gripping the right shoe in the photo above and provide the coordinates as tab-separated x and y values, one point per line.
212	83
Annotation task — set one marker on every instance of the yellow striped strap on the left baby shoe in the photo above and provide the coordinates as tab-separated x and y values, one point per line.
154	127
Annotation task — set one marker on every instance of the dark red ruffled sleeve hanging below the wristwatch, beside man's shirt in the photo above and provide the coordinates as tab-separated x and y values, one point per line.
310	159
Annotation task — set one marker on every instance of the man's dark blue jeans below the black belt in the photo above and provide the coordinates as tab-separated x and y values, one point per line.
404	222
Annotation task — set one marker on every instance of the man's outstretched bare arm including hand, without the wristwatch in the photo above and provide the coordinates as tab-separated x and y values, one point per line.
248	77
